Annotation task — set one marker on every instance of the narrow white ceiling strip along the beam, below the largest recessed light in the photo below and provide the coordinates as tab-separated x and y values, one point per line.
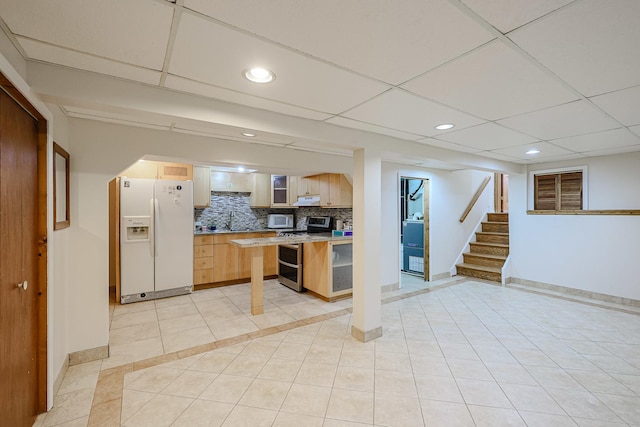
190	86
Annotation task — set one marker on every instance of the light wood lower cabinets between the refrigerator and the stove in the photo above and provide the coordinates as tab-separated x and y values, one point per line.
216	260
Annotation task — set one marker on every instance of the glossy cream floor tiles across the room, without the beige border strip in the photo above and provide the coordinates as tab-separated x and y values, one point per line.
470	354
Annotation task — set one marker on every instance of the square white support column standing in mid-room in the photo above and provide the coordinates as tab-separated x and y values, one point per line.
367	207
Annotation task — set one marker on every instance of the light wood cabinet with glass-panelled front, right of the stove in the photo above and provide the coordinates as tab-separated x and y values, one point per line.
328	269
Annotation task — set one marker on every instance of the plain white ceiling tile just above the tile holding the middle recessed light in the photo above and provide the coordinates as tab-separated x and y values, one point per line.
494	82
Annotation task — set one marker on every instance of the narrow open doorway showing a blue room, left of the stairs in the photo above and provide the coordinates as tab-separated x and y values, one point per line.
414	227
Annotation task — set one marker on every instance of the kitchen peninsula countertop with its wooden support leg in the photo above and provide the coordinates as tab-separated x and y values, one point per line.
256	247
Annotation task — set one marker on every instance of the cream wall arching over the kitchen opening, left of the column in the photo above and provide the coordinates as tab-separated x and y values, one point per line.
99	151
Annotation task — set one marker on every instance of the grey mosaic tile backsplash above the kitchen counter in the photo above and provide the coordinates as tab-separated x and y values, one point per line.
226	206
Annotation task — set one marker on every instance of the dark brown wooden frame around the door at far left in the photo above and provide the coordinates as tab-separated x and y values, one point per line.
16	95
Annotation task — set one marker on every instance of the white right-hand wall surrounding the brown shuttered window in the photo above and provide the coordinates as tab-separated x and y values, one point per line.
587	252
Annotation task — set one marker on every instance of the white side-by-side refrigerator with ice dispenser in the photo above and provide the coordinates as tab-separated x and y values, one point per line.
156	238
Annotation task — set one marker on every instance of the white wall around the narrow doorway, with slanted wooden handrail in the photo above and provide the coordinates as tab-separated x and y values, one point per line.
450	193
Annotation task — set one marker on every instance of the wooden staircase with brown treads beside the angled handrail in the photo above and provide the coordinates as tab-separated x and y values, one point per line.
489	251
